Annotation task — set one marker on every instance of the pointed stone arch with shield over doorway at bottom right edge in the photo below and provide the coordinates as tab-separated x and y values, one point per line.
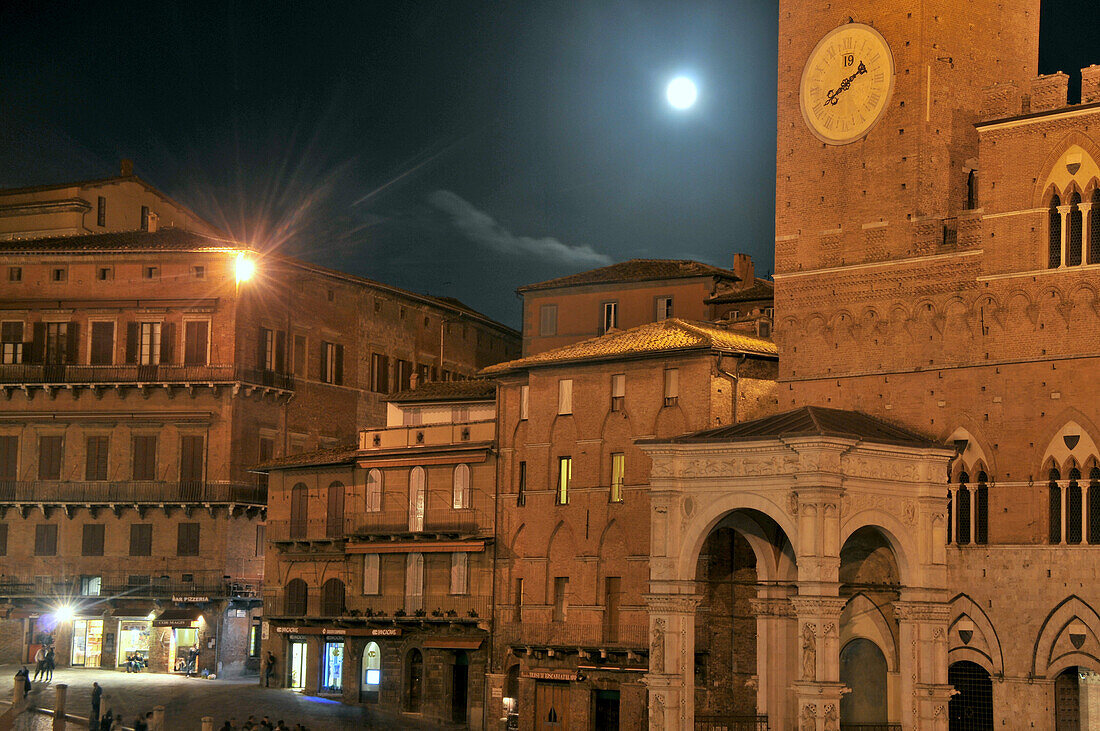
1055	648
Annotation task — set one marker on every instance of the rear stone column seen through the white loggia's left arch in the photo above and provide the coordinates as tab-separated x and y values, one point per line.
777	658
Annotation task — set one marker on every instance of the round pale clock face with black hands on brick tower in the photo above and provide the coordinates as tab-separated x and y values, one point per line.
846	84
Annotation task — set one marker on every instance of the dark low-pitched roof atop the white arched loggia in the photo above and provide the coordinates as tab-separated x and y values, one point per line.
810	422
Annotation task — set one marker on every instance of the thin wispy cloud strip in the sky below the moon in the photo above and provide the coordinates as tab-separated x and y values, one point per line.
480	228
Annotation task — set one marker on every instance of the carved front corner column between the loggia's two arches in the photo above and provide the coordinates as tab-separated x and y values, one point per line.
818	686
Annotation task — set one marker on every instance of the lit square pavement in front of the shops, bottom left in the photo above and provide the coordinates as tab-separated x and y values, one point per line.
188	701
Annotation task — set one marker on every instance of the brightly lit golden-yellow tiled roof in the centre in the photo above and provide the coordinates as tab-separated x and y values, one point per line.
654	339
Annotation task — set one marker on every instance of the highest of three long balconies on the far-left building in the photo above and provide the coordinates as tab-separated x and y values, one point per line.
59	375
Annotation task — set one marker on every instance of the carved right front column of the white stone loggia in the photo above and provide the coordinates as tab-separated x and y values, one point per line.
922	630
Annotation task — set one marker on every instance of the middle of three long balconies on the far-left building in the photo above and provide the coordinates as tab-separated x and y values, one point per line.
42	492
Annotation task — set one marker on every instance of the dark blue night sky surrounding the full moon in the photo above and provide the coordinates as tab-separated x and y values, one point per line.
458	149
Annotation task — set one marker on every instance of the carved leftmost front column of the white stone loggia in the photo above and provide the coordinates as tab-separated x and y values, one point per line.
672	678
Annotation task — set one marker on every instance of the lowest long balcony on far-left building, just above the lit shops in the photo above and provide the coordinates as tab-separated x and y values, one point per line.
213	585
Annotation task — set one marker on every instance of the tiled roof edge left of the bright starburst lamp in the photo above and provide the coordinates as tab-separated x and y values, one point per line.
163	240
